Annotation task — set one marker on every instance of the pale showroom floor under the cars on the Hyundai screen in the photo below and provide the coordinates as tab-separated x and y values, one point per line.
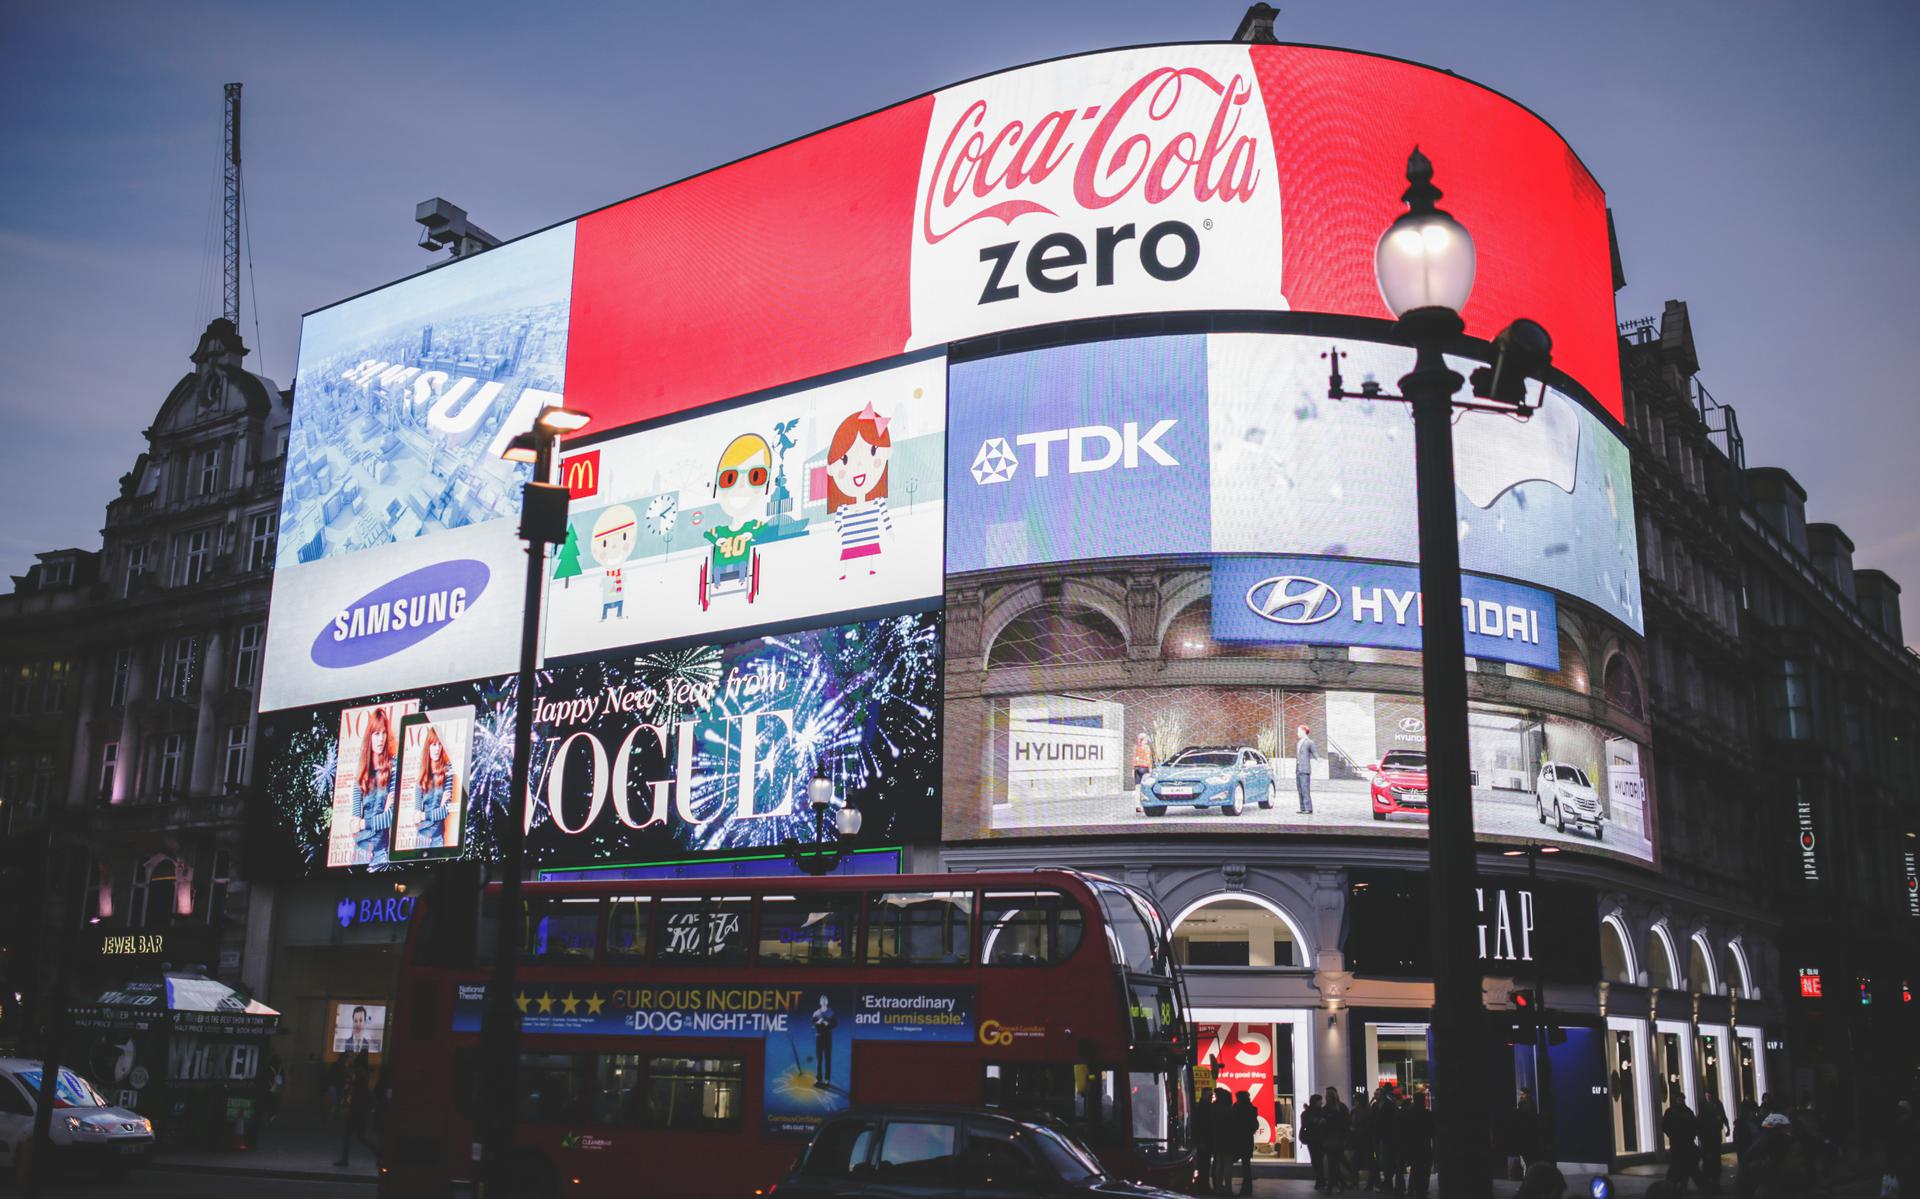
1341	806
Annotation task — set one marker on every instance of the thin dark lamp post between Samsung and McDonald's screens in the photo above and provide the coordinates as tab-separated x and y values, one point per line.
542	524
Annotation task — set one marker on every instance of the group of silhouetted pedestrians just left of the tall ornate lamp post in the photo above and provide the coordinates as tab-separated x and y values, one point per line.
1383	1144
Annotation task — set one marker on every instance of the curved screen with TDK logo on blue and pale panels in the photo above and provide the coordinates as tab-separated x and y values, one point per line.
1228	445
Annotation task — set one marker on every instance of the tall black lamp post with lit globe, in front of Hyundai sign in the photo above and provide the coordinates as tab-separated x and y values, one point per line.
1426	266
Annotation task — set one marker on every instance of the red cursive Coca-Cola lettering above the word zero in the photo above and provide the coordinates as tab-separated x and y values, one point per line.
1149	139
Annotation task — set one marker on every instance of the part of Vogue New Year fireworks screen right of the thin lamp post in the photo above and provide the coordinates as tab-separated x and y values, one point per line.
709	748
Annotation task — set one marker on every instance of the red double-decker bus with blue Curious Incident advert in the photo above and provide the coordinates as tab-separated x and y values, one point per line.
684	1039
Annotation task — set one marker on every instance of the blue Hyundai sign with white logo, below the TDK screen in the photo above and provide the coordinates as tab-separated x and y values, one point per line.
1341	602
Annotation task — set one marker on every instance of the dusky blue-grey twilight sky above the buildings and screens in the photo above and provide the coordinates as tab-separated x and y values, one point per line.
1760	159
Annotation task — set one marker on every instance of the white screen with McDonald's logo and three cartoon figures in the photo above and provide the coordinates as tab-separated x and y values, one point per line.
775	512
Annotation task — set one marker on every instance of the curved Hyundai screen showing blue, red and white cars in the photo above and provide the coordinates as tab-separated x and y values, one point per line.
1151	762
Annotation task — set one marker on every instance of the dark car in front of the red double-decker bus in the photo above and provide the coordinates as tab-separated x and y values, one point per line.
948	1152
